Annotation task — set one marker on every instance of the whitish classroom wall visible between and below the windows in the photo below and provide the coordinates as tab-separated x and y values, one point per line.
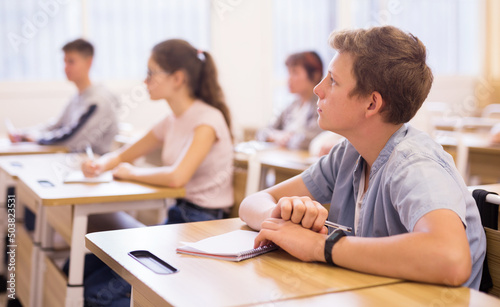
243	55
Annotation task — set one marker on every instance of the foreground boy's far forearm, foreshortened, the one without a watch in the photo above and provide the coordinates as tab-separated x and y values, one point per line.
255	208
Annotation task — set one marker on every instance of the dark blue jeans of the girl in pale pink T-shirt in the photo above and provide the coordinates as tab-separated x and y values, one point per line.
185	212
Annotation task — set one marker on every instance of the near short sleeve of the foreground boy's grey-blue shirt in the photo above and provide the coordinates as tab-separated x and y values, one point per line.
420	184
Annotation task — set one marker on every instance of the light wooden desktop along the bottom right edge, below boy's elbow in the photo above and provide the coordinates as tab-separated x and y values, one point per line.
401	294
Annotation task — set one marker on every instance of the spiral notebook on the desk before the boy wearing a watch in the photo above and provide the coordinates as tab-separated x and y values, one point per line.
233	246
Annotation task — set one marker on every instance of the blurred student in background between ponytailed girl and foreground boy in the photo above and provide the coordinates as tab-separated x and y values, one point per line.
298	123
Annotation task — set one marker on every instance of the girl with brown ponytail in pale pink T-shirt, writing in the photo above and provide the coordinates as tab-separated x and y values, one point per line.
197	151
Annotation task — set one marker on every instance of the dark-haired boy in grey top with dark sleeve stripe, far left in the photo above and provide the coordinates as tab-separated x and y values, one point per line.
89	118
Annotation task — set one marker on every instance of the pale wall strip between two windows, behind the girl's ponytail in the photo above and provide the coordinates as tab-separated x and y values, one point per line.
242	48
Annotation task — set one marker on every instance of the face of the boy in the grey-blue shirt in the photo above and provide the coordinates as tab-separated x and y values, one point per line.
338	111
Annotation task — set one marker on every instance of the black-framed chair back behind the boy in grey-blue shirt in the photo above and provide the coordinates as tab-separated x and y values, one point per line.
488	205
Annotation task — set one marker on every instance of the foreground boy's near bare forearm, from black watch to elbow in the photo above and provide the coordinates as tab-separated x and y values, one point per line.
413	256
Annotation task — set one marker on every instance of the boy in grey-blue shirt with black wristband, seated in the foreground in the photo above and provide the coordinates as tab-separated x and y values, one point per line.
411	213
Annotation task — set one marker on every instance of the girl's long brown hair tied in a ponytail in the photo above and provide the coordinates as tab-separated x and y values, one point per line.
176	54
